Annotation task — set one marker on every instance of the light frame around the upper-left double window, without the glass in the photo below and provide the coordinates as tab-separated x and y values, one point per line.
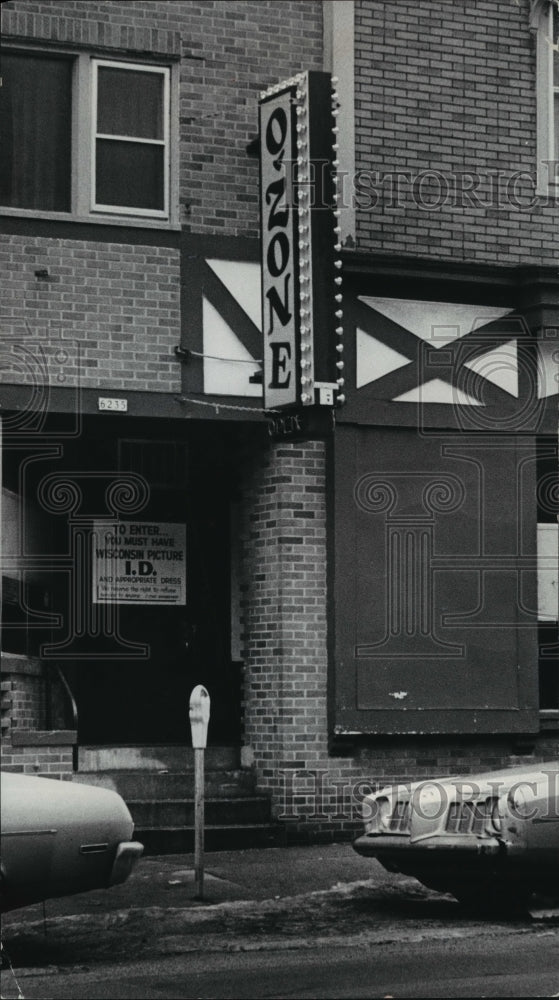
83	121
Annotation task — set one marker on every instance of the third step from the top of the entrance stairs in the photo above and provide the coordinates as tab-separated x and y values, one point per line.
237	811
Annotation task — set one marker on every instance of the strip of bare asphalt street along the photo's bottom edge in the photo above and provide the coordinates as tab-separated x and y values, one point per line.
484	965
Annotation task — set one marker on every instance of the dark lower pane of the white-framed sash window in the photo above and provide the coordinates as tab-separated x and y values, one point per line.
129	174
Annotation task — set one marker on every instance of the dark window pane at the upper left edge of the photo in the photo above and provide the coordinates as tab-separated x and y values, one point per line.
35	123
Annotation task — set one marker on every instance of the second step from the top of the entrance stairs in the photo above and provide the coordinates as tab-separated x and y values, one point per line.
159	785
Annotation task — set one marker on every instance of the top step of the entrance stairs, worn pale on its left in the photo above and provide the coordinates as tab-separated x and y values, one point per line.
155	758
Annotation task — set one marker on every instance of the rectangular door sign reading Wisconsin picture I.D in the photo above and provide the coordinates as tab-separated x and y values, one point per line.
138	562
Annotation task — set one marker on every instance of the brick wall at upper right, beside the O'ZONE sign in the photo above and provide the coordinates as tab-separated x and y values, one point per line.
446	97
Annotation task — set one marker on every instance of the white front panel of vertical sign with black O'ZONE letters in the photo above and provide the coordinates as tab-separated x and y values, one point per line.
279	227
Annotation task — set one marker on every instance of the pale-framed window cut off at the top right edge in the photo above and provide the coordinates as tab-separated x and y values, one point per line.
545	20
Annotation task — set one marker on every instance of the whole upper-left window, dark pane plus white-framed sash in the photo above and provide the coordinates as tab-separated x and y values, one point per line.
85	136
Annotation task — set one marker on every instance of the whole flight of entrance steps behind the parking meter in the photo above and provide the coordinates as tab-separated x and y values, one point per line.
157	784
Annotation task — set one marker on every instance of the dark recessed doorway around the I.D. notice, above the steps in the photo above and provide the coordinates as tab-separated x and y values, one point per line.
132	667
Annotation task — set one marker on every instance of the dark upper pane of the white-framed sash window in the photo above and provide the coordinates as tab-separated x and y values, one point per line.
129	103
